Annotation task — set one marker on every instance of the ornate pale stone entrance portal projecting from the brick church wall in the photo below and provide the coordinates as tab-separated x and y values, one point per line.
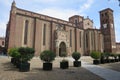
61	40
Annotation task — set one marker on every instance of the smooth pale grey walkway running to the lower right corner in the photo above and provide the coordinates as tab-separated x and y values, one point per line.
105	73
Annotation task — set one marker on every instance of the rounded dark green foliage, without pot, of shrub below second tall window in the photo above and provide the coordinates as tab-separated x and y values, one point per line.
47	56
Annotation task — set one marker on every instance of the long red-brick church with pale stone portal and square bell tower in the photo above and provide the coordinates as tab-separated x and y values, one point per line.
42	32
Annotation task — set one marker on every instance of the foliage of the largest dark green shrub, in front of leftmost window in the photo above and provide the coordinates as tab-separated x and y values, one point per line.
26	53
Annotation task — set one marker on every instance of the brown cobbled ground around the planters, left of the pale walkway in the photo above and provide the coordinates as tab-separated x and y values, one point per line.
10	72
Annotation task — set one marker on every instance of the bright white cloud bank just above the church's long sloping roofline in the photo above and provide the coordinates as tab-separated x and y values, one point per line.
59	13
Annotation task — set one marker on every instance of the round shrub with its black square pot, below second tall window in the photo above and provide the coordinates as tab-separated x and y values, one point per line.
47	56
